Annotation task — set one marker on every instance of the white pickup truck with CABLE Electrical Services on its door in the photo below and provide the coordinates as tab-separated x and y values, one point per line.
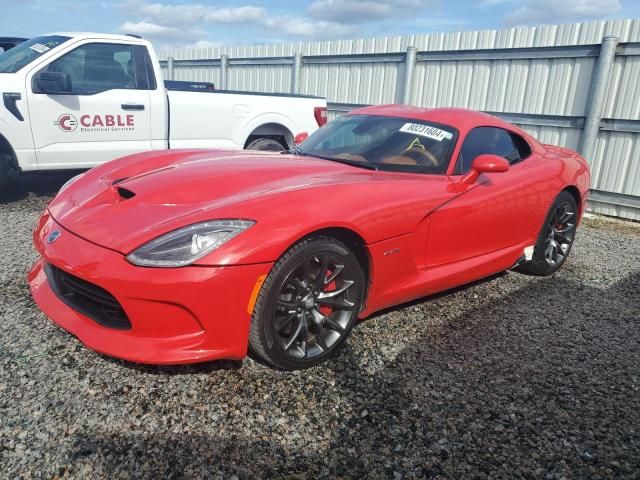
77	100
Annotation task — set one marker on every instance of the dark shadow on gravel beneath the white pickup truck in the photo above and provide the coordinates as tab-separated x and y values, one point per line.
37	184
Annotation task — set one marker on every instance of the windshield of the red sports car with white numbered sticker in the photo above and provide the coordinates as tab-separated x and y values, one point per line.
384	143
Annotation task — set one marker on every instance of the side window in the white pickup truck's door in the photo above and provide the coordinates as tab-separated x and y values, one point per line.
98	67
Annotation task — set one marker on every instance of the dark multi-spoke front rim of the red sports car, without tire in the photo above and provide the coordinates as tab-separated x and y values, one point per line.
314	306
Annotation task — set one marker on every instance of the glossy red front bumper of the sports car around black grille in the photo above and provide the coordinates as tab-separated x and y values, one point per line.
177	315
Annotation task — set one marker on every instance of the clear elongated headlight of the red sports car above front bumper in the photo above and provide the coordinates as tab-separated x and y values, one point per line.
188	244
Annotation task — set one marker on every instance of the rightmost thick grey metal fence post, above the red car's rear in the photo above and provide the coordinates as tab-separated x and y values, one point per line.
595	103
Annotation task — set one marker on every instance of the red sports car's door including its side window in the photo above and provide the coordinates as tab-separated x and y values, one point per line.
499	211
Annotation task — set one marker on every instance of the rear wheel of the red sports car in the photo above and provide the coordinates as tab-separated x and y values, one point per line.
555	238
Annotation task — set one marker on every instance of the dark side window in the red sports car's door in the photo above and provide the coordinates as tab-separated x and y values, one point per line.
490	140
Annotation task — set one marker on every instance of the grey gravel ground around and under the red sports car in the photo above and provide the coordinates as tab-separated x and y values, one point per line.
511	377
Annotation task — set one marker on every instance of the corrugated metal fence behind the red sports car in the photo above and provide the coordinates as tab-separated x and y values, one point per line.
576	85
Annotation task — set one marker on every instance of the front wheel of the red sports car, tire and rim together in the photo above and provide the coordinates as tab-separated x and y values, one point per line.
302	317
